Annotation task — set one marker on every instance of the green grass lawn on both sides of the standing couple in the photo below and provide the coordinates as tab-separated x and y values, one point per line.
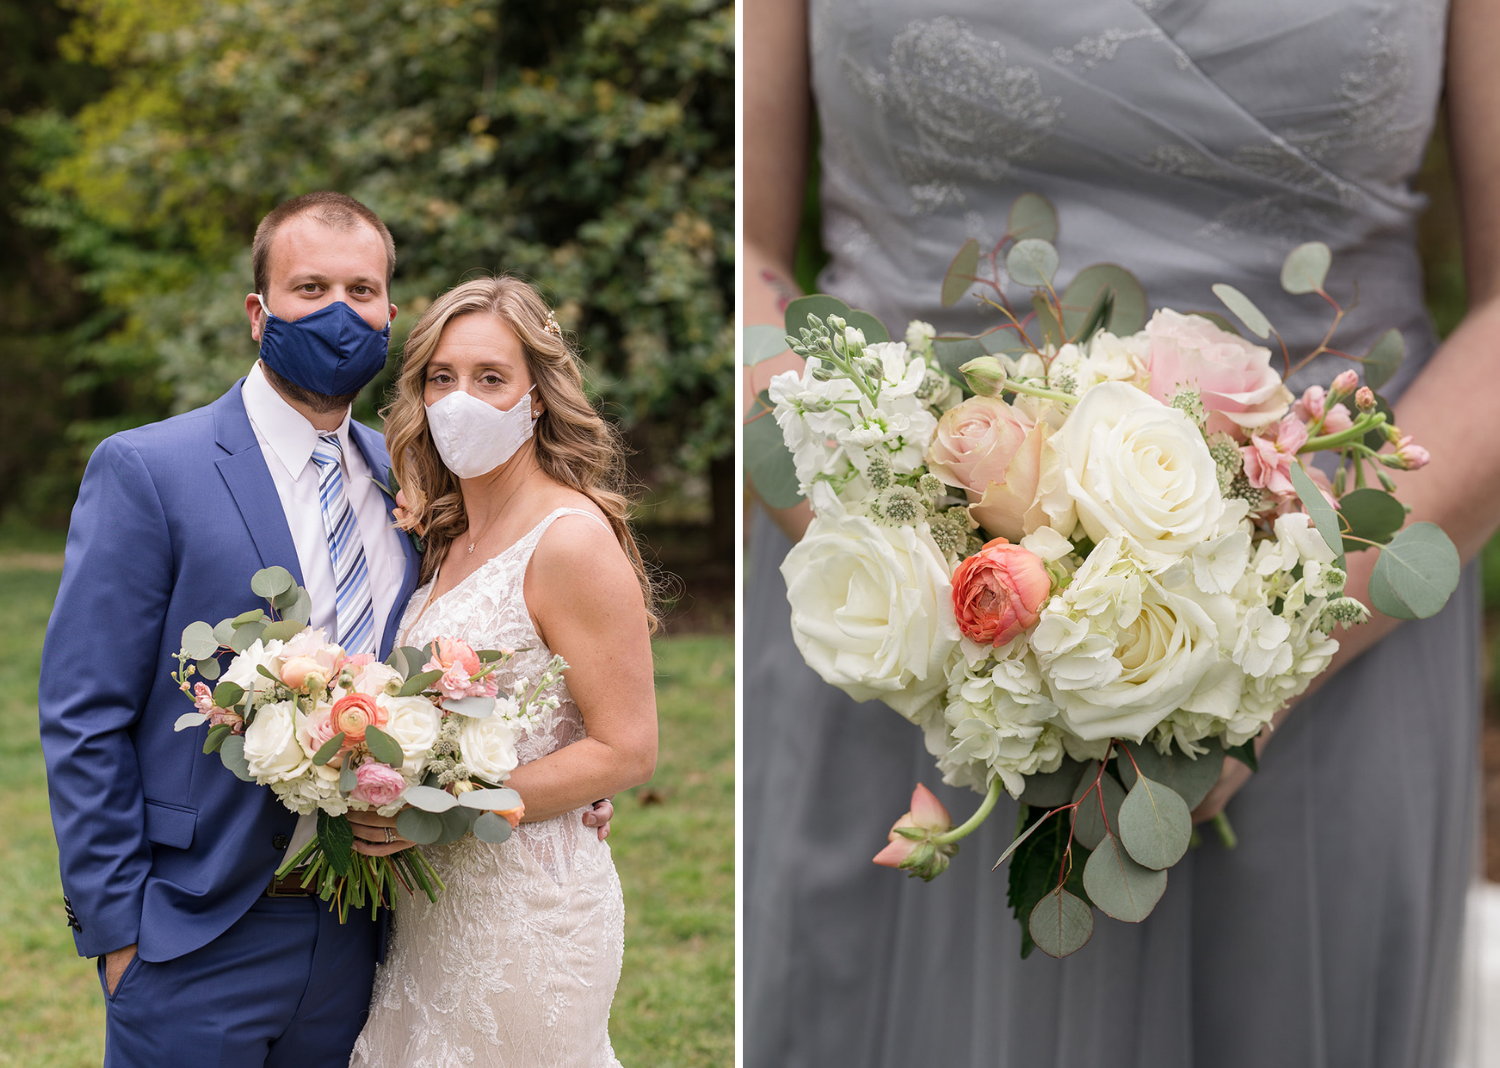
673	841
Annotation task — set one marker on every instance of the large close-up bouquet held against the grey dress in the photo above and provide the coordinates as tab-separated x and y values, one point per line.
1087	553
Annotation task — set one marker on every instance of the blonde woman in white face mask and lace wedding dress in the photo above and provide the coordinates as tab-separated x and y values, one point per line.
511	476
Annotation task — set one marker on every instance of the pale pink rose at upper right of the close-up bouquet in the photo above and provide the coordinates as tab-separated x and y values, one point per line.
1241	391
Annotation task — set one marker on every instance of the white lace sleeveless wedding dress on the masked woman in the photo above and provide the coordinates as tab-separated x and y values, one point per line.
518	961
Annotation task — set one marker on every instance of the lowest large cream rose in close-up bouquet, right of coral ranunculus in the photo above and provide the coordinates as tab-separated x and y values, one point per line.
1120	652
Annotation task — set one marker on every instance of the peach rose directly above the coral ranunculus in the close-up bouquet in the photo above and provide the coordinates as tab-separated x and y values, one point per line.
994	452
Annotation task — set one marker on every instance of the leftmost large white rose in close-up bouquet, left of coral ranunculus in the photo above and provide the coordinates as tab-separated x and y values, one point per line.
872	607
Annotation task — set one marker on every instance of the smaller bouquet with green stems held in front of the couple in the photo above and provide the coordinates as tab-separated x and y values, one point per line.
425	737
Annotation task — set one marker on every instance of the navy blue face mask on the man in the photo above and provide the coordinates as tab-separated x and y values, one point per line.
334	352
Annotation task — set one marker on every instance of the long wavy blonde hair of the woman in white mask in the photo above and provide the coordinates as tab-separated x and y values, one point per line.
574	445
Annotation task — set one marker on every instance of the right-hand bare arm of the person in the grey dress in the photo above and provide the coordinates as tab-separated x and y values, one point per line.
1450	409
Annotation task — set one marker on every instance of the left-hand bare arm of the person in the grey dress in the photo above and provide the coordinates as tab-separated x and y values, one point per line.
778	113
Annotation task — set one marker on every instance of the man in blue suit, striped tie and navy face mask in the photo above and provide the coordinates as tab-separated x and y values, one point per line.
167	859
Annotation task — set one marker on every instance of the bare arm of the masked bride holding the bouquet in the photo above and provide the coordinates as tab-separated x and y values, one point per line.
589	610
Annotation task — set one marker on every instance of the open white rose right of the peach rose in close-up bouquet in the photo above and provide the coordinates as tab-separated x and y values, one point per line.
1126	466
